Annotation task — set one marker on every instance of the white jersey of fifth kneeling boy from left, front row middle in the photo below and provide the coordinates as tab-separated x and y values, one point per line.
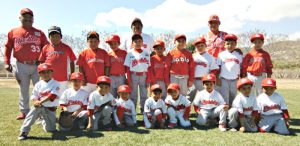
151	105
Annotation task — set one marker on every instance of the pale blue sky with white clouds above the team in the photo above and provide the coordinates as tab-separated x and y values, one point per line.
187	16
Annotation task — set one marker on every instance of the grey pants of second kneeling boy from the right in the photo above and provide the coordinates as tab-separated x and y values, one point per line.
234	121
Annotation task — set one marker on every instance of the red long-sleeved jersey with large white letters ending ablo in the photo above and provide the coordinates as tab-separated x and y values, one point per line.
179	63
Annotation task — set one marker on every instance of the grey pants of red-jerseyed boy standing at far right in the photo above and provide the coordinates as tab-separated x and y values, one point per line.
257	80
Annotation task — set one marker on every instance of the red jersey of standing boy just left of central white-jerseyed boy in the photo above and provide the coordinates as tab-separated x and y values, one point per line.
117	59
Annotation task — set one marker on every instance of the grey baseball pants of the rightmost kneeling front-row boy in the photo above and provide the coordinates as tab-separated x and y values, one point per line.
267	122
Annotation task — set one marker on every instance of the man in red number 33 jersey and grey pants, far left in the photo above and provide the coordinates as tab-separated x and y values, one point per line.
26	43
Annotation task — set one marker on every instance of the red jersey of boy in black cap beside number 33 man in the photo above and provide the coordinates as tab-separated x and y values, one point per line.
58	56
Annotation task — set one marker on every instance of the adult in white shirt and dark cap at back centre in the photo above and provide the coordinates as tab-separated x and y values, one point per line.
137	28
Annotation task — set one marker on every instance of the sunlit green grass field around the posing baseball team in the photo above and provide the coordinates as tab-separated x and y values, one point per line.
9	128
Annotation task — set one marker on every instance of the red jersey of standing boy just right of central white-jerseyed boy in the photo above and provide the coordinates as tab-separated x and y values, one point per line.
157	67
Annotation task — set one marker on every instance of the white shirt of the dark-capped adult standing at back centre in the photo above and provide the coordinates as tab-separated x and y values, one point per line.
148	43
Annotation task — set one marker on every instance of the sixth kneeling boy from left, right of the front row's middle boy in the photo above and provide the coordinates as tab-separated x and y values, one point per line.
178	107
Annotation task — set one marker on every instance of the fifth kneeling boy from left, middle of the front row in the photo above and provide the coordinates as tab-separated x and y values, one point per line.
155	109
